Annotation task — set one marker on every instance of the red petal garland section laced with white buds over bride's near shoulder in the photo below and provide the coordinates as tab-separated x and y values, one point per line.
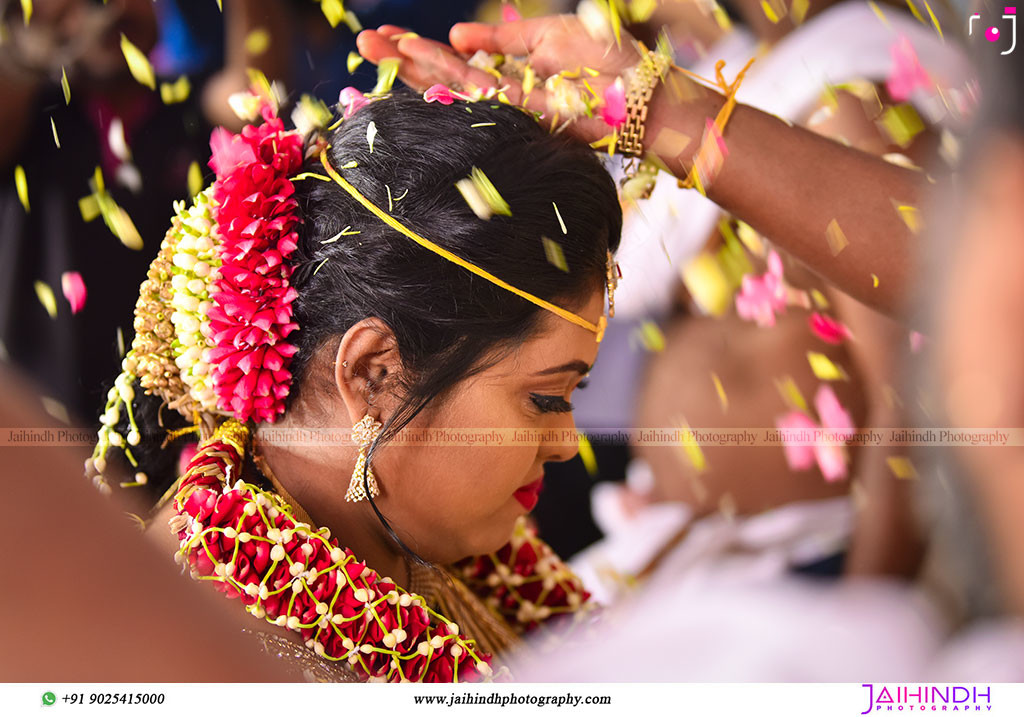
283	571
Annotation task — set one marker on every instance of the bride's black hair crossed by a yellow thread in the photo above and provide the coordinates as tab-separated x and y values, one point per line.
448	323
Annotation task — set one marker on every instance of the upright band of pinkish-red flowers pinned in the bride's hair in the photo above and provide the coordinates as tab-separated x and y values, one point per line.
252	299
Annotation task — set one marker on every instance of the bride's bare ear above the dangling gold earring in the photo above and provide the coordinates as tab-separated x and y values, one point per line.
366	367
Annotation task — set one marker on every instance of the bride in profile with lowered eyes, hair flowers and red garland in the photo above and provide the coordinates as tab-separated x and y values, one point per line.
419	271
